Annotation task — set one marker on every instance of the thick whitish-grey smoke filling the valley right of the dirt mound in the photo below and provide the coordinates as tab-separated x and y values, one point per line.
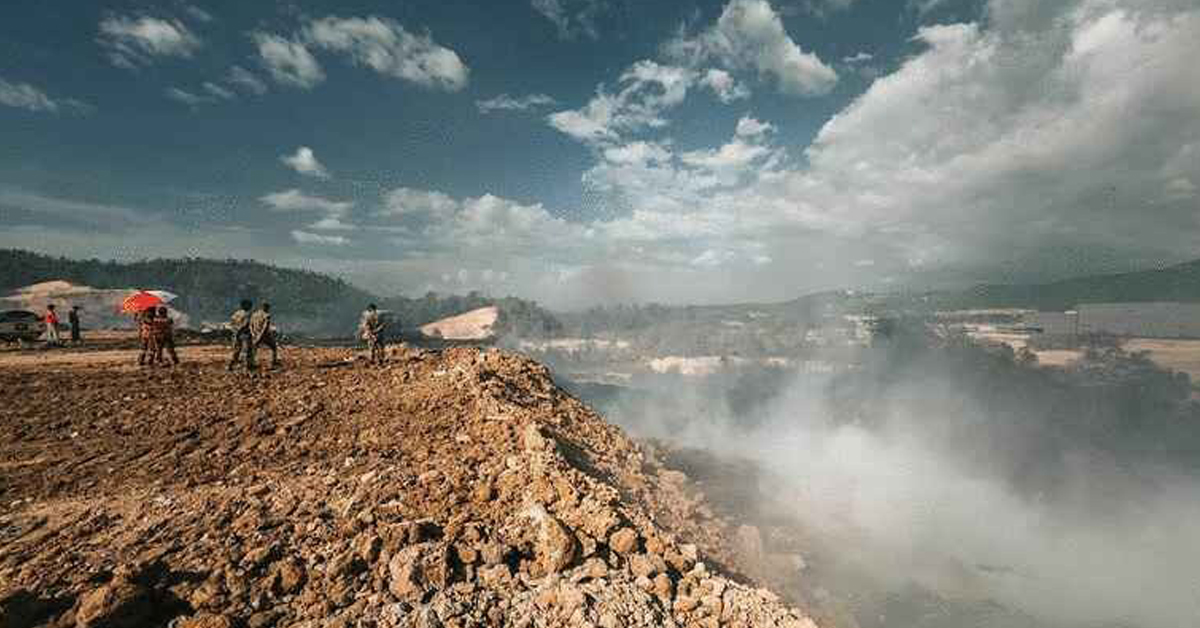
962	476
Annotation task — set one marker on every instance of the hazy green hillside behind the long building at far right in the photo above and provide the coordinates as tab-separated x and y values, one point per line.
1173	284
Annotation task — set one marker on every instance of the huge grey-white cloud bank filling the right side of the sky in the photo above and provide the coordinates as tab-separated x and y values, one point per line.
999	143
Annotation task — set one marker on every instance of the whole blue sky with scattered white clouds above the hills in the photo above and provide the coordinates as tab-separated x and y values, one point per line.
584	152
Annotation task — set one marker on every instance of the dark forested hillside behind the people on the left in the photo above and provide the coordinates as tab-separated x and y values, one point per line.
303	302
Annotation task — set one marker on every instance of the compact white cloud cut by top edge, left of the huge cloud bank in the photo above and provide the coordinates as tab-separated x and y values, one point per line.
751	35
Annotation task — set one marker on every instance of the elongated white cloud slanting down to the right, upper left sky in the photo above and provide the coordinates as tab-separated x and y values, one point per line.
387	47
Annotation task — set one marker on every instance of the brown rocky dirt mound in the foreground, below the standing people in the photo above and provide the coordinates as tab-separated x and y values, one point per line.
458	488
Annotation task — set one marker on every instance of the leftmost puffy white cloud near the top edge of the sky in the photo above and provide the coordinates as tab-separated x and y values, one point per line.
136	41
